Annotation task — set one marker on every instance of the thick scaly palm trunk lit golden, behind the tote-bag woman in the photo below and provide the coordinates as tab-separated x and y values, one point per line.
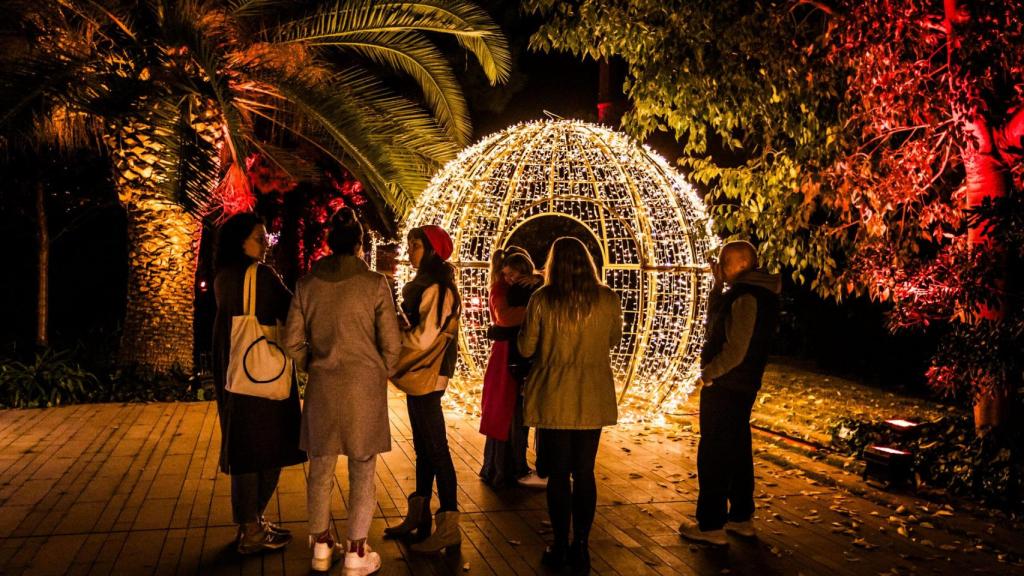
163	242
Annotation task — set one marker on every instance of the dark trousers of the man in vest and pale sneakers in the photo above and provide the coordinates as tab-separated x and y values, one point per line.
726	458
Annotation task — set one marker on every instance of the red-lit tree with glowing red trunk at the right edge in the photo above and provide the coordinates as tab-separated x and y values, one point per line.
936	103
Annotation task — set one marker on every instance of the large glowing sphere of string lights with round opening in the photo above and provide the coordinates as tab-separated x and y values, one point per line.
648	223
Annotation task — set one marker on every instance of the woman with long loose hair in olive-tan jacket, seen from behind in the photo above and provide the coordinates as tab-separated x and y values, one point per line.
573	323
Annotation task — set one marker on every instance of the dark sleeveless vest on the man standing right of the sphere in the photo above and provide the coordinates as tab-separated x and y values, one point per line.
746	377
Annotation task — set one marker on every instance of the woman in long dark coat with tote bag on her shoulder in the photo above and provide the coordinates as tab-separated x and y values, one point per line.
259	437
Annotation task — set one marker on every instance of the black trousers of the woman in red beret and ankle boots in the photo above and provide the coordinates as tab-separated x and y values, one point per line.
434	460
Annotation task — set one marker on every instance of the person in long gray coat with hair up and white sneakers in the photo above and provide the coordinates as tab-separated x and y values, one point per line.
344	328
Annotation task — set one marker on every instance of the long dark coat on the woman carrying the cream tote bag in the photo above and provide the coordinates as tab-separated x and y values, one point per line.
255	434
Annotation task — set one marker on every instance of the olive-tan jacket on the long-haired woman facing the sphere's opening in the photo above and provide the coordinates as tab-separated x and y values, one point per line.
571	386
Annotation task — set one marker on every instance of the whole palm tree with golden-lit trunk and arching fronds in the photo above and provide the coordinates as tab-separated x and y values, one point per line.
187	91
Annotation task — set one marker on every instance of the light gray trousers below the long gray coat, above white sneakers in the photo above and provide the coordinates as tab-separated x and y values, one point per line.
362	495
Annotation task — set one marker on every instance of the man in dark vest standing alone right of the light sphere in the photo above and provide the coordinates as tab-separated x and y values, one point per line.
742	322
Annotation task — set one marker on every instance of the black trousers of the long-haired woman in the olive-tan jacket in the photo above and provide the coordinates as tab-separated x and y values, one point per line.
563	455
